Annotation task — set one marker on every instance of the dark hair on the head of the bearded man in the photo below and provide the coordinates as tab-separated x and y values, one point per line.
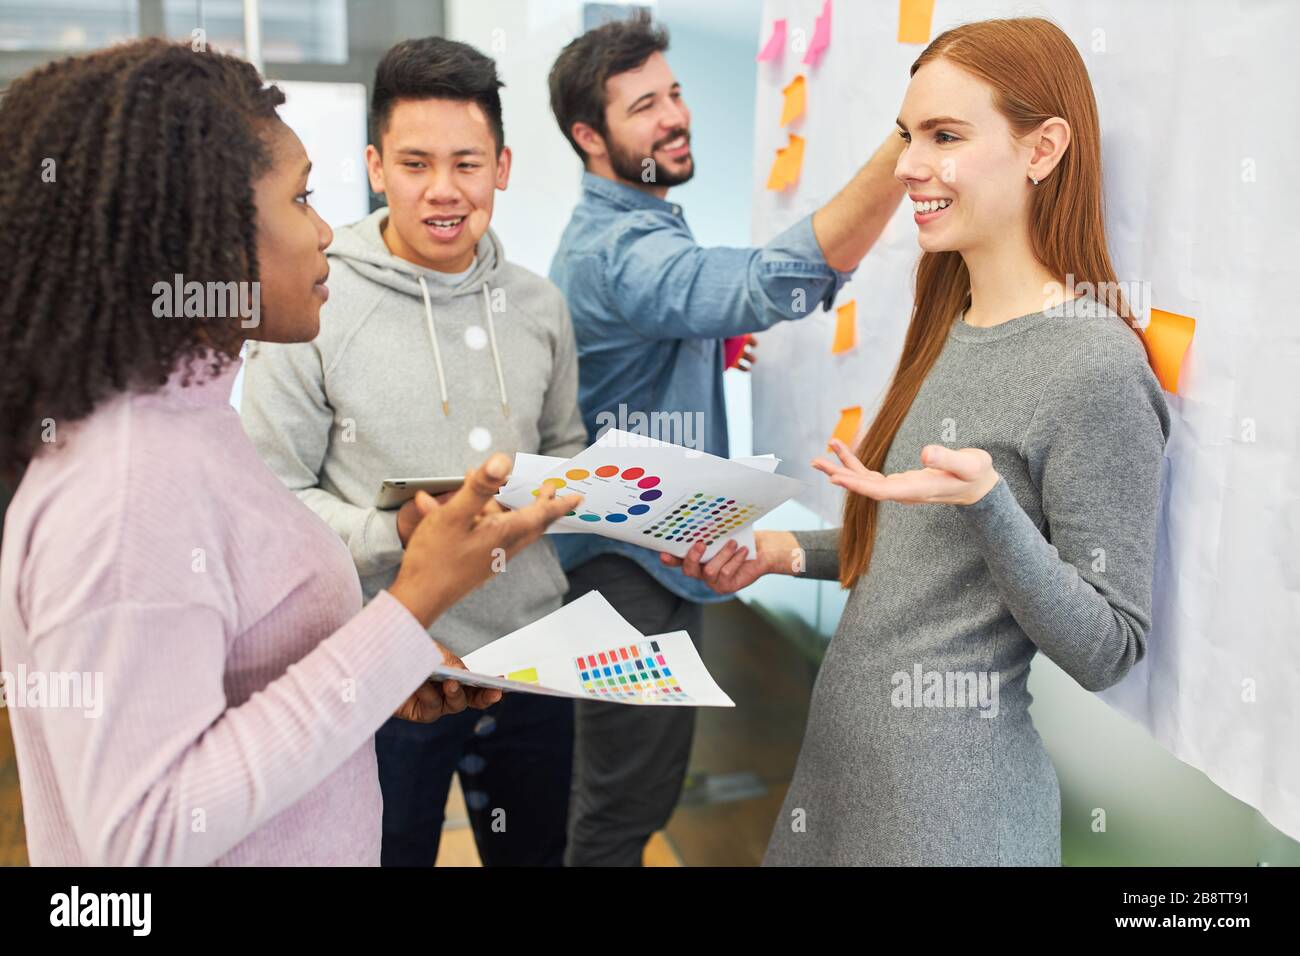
583	68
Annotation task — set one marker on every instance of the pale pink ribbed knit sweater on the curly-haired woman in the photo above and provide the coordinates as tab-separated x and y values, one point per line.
241	681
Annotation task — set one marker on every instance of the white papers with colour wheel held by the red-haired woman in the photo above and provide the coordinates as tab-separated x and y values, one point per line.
660	496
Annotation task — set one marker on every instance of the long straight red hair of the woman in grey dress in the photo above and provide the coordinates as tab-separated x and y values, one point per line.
1037	73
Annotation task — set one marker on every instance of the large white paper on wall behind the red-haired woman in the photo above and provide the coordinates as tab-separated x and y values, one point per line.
1199	106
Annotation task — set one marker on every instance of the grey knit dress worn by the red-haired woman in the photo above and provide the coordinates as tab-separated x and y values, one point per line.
920	749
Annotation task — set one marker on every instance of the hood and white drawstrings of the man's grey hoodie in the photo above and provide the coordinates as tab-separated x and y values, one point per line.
362	246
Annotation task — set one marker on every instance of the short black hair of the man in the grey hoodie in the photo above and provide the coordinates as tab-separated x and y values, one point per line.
436	68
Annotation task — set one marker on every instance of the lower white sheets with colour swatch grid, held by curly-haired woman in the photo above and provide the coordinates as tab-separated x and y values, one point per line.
590	652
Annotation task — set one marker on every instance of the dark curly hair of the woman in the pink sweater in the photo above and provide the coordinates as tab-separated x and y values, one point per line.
120	170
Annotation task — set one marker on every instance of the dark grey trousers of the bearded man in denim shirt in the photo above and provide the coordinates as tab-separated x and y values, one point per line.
630	762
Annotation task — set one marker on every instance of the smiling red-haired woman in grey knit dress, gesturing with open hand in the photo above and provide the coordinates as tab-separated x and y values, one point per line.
1032	524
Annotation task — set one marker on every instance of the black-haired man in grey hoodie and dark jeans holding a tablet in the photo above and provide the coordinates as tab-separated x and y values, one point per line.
434	352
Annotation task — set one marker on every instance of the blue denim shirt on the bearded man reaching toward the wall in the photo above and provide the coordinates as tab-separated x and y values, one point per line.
651	310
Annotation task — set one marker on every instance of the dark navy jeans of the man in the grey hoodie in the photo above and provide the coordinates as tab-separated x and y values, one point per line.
515	763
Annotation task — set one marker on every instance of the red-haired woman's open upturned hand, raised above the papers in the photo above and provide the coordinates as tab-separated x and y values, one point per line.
951	477
